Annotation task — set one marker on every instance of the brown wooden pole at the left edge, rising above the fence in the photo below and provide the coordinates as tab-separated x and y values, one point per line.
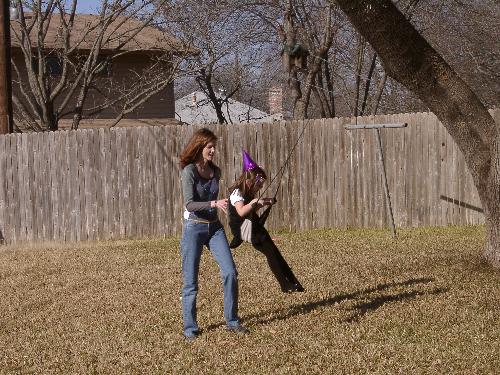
5	70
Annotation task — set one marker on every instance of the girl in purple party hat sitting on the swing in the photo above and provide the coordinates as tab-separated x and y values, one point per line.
246	225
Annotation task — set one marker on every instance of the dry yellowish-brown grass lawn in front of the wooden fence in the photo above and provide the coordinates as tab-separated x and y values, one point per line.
423	304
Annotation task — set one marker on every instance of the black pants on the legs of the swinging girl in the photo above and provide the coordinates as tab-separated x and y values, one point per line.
262	241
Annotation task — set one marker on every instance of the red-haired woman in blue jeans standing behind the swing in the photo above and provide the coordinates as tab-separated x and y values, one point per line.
200	188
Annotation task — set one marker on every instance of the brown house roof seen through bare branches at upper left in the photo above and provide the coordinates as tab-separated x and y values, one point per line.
85	30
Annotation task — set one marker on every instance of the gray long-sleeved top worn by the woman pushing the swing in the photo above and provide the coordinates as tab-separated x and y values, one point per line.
198	192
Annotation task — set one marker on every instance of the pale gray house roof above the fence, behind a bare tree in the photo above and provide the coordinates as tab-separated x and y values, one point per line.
196	108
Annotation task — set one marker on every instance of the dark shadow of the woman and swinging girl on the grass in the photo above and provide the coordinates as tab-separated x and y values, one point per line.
360	309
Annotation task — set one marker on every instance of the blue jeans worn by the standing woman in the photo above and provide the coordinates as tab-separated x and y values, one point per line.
212	235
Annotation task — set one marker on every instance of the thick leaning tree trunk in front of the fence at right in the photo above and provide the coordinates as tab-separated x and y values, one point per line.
408	58
